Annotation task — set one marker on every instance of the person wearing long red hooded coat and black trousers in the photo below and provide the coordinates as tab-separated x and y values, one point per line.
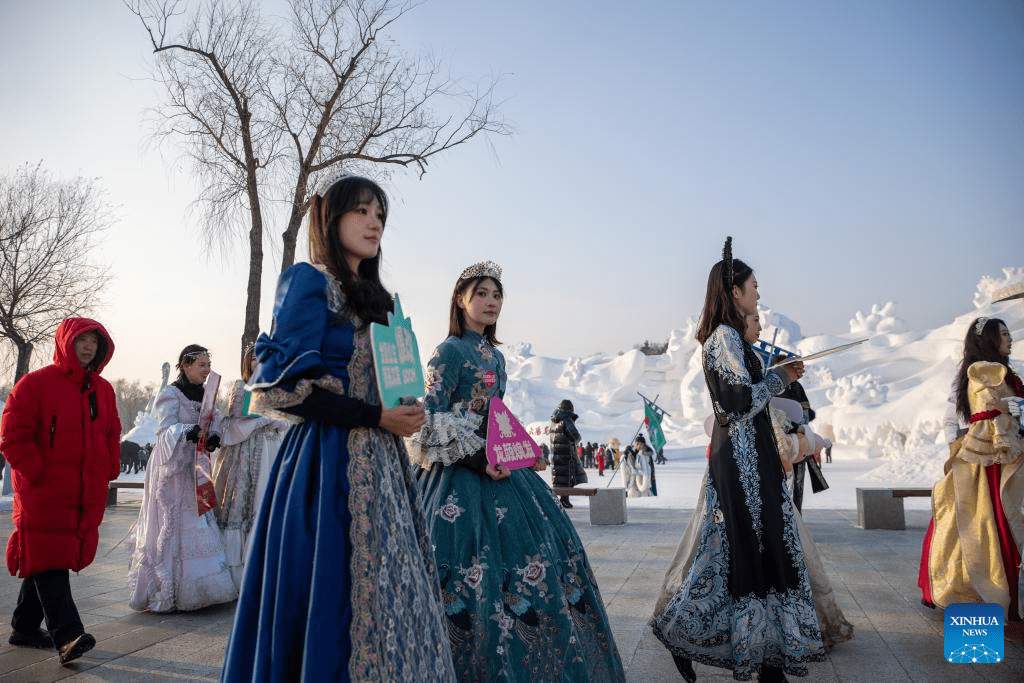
61	434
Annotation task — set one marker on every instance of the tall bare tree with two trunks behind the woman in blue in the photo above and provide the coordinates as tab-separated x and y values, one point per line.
265	106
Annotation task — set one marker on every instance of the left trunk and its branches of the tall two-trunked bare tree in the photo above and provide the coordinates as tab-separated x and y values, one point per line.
216	75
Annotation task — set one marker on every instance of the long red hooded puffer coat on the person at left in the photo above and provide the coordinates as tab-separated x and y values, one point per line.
61	434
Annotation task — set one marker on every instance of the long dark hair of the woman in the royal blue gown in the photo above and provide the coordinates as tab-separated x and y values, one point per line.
366	296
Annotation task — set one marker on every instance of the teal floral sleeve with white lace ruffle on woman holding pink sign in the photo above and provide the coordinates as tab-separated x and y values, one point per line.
451	432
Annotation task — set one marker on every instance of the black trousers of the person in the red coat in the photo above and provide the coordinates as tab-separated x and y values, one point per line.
48	596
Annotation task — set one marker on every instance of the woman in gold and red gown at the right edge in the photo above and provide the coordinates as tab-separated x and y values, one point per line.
972	551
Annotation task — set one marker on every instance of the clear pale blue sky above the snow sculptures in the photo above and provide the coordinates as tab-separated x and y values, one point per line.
858	152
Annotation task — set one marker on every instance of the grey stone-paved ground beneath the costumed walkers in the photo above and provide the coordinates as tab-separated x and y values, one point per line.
874	572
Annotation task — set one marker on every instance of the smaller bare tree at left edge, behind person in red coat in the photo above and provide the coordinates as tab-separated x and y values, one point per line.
48	230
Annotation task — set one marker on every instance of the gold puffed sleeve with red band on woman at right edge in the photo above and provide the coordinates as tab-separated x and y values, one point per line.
994	436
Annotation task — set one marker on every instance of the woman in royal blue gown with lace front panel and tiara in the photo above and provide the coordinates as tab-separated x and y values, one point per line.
340	583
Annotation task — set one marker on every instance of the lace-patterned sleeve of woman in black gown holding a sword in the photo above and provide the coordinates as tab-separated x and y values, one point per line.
736	397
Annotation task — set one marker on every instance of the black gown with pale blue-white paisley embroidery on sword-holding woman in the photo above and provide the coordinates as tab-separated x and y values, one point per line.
726	612
